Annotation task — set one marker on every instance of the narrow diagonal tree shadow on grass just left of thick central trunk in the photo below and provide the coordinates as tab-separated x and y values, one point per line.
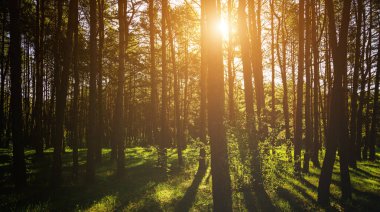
188	199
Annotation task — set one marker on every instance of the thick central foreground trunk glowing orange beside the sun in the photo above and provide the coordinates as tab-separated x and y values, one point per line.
221	182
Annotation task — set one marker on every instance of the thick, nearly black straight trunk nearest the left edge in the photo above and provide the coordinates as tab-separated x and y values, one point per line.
19	170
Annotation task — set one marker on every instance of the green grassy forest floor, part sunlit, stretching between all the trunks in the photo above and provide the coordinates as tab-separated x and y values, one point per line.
145	187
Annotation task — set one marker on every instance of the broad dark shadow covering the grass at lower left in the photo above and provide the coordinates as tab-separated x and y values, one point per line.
141	177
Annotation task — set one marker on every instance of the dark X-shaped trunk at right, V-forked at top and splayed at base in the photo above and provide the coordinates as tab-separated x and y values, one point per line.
336	135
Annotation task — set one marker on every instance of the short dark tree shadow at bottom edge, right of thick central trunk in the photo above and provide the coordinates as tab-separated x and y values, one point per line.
257	200
